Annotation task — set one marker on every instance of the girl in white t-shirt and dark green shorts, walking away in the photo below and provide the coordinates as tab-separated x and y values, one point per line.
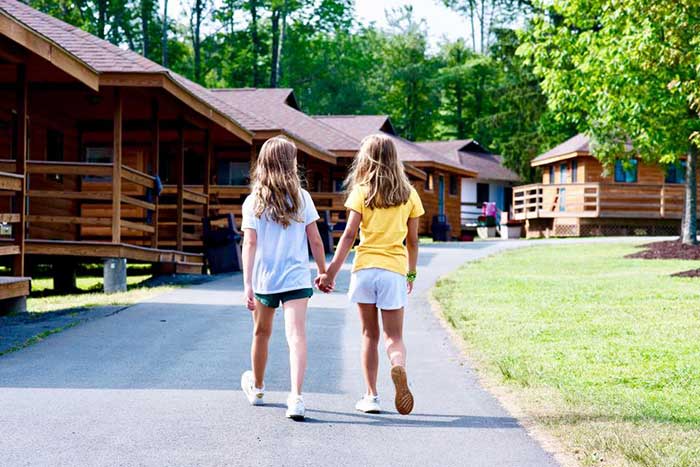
279	221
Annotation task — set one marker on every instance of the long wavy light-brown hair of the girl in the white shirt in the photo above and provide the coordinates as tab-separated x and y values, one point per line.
276	184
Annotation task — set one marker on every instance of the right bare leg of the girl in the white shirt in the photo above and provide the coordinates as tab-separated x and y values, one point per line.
295	329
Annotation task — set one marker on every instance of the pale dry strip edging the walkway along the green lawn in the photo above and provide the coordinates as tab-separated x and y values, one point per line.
501	393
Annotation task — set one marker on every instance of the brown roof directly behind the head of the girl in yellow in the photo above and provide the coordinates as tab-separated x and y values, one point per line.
360	126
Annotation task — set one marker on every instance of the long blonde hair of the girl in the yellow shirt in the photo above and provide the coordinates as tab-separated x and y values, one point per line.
377	168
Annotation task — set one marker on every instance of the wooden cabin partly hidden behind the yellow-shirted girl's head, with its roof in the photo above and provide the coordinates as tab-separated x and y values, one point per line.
440	189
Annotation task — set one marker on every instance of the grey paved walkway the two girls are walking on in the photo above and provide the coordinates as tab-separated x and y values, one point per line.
158	384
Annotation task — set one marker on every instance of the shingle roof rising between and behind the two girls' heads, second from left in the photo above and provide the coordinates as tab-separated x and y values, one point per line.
271	104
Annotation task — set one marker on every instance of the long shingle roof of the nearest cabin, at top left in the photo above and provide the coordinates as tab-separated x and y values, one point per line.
104	57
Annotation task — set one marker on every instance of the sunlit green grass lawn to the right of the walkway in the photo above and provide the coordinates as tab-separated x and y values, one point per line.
602	351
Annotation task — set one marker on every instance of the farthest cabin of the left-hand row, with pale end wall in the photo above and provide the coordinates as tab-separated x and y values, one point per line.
494	182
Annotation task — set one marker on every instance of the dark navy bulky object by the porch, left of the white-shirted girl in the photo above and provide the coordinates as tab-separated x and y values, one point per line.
222	244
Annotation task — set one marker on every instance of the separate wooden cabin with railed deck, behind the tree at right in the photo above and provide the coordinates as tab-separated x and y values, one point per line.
579	197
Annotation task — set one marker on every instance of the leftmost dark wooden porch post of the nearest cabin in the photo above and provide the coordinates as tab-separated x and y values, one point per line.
21	166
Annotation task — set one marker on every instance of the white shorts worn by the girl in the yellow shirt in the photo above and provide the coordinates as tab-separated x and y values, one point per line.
384	288
